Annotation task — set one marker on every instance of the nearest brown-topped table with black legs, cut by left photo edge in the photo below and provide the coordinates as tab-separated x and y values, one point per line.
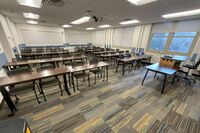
26	77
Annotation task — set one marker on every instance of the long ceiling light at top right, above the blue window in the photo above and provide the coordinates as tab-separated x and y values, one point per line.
182	14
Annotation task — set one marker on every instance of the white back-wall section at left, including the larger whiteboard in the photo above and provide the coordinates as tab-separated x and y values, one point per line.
40	35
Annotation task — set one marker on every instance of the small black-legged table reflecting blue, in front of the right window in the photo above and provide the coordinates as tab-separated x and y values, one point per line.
157	68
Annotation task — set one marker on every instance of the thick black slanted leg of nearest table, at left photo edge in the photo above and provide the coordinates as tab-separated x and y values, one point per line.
8	100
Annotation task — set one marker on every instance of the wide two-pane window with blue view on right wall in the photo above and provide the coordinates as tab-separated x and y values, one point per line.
178	42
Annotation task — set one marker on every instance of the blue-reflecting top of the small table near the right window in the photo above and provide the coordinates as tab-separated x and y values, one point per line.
156	67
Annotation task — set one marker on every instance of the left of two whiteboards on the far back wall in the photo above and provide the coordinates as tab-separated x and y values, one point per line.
38	37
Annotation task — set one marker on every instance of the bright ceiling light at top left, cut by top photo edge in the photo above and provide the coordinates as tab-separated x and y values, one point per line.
31	3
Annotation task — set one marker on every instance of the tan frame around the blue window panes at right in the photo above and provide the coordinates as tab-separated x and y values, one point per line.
168	43
